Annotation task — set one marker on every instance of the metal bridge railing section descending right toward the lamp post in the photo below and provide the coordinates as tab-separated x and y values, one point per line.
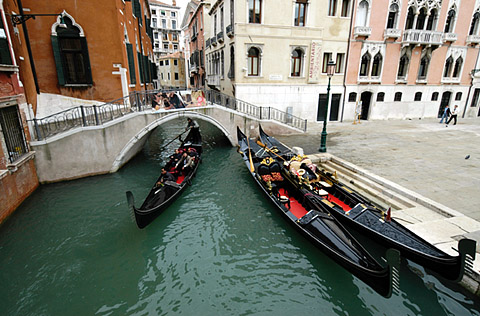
260	112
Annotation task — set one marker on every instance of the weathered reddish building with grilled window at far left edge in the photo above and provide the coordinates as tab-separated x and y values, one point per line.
18	177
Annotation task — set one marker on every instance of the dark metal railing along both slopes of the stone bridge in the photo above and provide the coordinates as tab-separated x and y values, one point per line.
138	101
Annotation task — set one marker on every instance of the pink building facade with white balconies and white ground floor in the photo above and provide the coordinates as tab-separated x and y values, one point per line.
408	59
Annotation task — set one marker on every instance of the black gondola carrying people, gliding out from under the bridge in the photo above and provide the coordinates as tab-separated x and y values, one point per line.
162	195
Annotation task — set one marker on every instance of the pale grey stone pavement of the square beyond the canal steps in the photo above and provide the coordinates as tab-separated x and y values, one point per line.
420	155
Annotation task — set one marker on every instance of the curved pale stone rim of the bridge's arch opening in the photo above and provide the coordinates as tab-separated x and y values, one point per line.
135	144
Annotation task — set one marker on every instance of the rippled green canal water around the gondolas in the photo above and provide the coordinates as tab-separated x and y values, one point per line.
220	249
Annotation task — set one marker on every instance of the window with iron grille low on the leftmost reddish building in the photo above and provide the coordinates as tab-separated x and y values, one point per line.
12	131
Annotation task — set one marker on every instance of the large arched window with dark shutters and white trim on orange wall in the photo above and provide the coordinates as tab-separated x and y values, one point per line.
70	52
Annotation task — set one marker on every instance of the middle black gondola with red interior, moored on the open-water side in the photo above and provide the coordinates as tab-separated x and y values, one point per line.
297	206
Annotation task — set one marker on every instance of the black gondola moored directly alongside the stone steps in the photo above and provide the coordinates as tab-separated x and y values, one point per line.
355	211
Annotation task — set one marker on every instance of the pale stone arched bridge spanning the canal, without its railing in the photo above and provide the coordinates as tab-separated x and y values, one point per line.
99	149
